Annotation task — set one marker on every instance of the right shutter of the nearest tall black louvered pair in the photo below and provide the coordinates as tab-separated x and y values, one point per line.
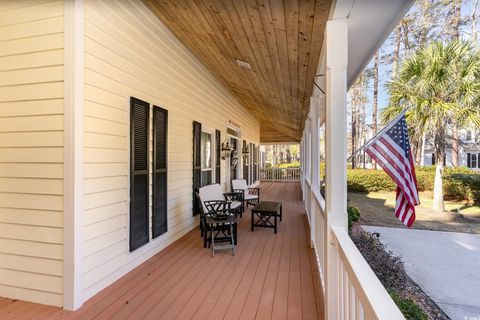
160	143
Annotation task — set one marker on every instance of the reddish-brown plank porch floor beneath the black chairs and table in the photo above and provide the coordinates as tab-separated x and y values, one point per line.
271	277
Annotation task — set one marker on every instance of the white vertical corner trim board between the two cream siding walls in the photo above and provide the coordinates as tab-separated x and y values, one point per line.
73	153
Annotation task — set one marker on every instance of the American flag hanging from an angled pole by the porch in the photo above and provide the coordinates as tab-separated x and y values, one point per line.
391	150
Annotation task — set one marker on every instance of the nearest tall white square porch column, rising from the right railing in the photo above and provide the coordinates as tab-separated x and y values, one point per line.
336	45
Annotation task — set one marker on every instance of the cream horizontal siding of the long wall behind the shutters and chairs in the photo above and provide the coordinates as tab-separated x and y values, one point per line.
128	52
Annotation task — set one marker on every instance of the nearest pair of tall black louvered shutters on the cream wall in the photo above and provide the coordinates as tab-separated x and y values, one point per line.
147	168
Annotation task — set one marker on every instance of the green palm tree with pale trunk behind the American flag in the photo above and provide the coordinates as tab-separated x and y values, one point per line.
438	83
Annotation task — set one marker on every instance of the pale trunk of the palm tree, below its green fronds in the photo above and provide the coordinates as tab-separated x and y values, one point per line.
439	142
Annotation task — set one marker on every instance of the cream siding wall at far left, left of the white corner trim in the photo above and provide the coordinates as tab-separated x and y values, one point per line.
31	150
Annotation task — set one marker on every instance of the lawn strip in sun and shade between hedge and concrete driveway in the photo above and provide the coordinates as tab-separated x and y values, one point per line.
377	208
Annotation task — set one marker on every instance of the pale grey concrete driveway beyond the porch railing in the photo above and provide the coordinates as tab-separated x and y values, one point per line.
446	265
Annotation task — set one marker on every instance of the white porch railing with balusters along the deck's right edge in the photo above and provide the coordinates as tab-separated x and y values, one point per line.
359	293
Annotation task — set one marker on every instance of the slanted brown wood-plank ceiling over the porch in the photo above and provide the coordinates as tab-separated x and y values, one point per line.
281	40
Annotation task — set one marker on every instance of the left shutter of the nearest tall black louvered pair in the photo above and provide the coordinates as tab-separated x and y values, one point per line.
139	183
